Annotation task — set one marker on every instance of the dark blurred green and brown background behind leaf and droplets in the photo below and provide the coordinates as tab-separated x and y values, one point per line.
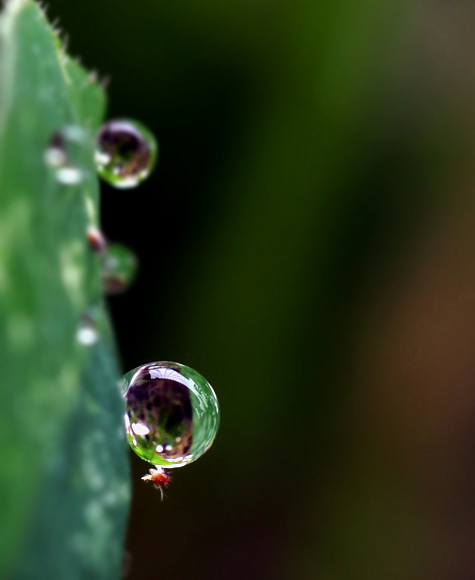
307	242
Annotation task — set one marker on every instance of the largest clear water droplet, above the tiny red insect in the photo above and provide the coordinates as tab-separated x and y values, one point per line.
172	413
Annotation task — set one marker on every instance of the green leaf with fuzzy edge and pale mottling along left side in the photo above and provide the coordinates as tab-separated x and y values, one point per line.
64	473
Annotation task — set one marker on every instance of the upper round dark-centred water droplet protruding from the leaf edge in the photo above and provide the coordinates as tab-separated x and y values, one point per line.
126	153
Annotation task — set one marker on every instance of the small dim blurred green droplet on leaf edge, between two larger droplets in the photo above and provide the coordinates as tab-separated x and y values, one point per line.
119	268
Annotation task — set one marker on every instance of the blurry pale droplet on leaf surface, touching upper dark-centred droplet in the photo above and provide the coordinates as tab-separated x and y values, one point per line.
67	154
